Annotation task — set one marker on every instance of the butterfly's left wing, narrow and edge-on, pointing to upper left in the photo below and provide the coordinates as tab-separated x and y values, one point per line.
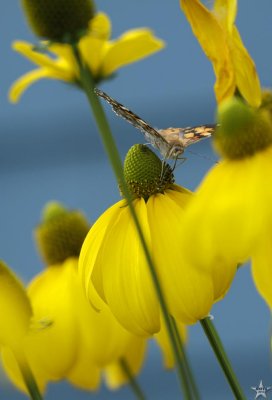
151	135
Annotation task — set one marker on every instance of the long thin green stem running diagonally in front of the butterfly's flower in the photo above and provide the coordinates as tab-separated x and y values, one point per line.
88	86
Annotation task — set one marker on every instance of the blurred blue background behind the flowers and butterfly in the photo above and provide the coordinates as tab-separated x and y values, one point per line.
50	150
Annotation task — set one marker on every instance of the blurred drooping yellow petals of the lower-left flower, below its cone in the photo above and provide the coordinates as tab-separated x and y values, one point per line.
76	346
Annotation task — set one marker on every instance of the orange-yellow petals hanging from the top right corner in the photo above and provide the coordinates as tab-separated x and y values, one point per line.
222	44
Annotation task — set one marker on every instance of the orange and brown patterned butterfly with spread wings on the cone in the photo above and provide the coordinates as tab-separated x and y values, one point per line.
171	142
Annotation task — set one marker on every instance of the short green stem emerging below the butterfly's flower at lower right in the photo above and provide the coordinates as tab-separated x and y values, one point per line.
222	358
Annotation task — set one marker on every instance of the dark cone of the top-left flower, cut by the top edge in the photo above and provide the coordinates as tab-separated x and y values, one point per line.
58	20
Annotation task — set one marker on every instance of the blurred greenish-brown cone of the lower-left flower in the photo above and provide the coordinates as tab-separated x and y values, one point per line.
60	234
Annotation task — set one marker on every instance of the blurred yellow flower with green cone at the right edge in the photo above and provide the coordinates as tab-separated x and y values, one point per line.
229	218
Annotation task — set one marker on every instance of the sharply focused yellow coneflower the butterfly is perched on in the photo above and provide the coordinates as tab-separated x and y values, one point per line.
112	262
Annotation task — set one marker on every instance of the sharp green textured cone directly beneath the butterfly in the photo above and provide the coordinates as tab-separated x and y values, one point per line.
145	173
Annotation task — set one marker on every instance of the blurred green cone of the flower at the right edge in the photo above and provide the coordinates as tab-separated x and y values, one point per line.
243	131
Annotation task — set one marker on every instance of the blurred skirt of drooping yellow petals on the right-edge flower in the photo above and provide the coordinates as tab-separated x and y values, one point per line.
230	228
